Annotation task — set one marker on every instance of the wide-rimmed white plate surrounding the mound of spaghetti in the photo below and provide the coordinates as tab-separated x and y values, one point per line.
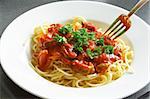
14	57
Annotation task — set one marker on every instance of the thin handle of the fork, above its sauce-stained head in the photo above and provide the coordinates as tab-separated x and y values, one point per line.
137	7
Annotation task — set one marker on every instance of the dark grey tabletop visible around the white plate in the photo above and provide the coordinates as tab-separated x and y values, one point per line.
10	9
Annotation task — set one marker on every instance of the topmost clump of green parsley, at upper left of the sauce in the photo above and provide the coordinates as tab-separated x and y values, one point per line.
66	29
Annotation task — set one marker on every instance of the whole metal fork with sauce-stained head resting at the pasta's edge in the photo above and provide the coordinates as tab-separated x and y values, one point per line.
122	23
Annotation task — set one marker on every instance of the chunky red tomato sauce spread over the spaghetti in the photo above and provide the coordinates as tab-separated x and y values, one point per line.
78	61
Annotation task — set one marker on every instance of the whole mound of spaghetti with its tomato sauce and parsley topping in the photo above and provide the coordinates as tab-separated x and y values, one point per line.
77	55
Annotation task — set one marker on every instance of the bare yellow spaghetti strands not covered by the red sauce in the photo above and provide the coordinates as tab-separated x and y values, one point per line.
62	74
